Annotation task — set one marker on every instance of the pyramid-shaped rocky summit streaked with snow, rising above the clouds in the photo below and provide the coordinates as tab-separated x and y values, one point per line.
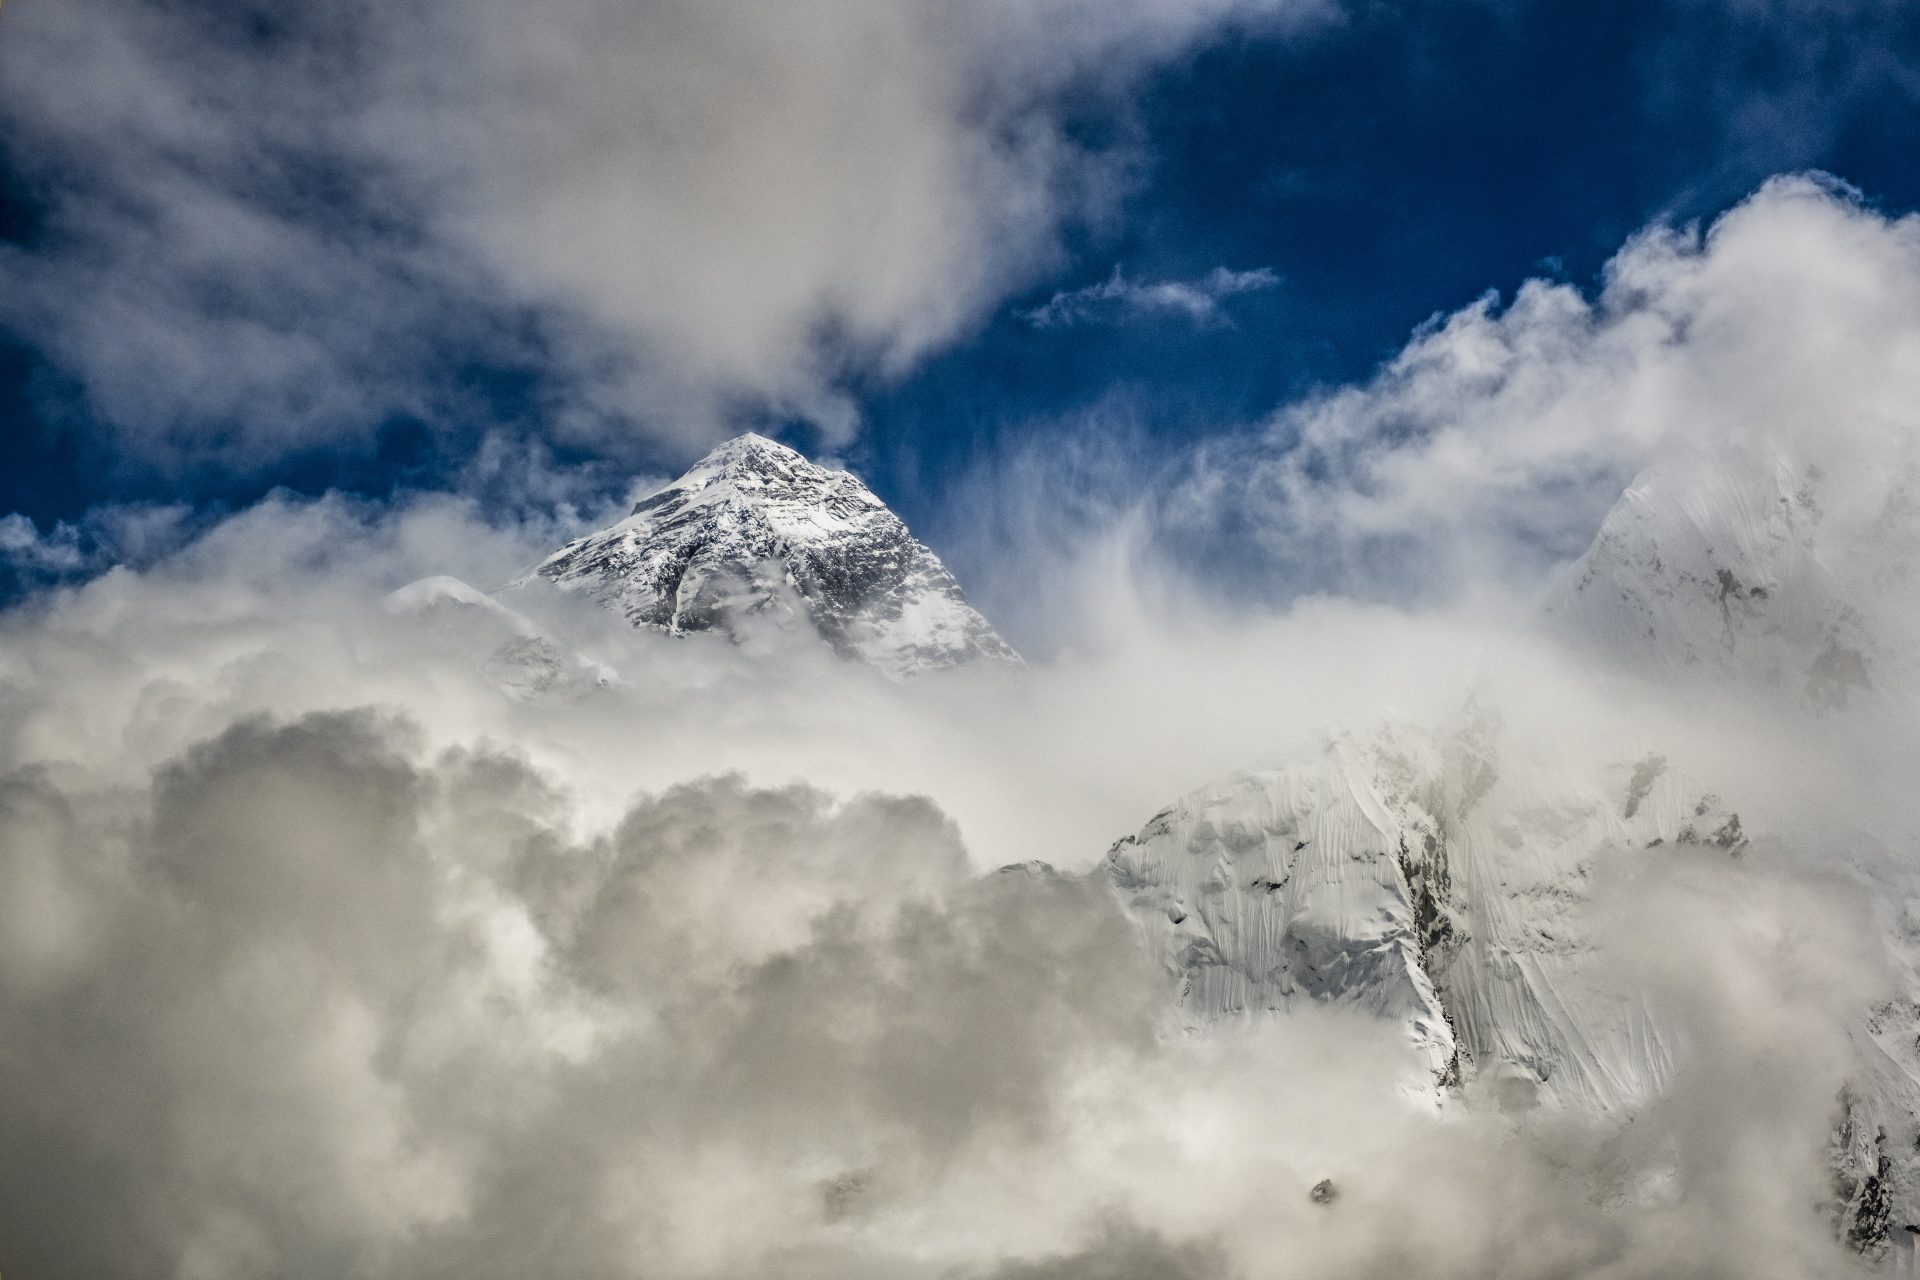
757	533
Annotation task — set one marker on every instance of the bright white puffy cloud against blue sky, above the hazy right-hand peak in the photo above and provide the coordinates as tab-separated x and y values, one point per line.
1497	440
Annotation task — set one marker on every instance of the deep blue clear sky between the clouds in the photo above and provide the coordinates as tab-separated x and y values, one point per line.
1385	168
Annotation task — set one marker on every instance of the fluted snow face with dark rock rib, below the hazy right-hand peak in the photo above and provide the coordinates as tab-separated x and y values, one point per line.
1418	878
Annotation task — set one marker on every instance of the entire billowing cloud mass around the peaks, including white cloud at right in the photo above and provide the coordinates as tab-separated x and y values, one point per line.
325	957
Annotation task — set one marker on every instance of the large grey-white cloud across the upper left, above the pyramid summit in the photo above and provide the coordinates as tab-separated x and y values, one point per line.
272	227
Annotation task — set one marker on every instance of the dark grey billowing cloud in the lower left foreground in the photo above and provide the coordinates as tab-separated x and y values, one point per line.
362	1014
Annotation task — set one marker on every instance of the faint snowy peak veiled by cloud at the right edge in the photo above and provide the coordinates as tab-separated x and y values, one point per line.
1762	573
